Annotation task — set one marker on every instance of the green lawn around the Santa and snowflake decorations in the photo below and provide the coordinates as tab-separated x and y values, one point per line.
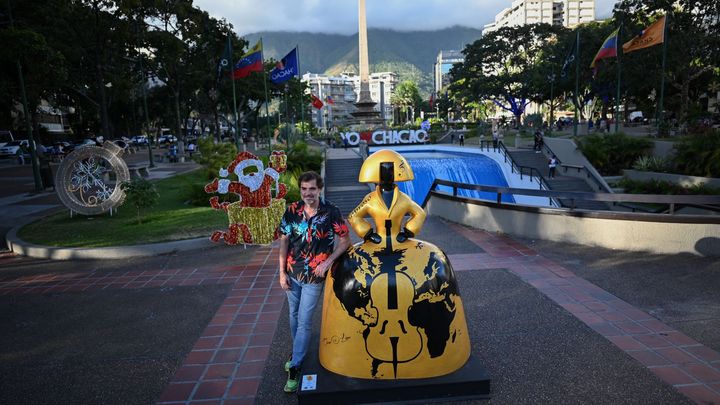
171	219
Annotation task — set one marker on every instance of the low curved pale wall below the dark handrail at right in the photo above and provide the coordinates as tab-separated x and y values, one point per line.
646	232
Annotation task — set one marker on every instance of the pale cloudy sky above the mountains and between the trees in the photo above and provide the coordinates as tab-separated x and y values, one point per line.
340	16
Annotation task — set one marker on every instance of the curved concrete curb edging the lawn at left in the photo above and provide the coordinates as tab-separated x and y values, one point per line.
21	247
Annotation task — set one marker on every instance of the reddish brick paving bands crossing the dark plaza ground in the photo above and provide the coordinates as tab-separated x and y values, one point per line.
226	364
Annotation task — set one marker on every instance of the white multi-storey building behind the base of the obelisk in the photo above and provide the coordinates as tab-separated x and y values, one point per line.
339	94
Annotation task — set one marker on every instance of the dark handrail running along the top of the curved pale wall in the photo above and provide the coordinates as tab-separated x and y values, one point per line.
672	200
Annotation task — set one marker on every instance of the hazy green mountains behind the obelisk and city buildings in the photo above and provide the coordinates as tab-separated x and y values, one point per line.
410	54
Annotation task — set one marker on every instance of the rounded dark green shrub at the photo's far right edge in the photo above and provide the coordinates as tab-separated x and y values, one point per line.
699	154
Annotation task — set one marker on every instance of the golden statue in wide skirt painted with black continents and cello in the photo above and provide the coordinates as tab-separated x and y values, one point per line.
392	307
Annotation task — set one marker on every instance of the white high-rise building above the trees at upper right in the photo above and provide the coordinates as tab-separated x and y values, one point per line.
568	13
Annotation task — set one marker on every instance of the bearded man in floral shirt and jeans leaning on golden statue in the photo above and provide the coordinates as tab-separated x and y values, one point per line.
313	235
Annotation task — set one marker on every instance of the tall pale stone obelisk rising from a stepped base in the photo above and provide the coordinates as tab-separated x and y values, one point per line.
365	114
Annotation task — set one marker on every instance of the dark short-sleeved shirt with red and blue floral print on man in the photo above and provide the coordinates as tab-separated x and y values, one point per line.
311	240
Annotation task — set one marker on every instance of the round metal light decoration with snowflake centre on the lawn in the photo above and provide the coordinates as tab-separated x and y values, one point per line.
88	179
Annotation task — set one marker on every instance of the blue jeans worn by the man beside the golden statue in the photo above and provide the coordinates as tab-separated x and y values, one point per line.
302	300
